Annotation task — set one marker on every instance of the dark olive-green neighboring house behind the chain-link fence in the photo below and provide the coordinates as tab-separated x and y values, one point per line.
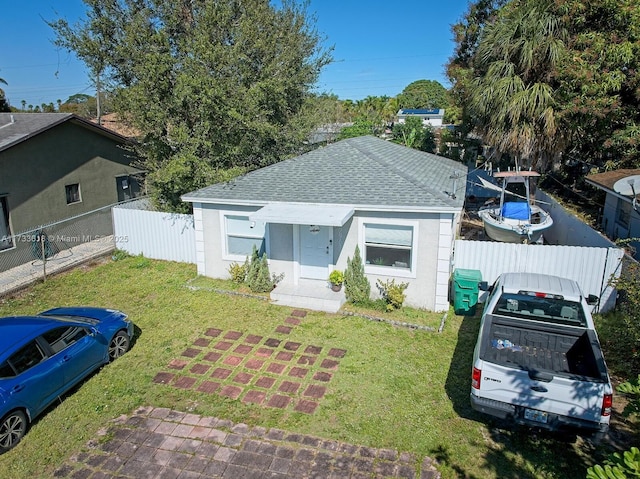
55	166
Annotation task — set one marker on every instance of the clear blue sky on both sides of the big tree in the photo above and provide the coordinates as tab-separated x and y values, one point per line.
380	47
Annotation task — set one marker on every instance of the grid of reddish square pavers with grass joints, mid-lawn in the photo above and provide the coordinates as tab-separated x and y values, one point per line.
270	371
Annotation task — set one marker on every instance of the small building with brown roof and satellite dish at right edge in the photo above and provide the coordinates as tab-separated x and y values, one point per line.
621	215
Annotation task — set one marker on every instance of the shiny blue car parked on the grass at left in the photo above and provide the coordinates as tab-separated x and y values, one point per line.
43	356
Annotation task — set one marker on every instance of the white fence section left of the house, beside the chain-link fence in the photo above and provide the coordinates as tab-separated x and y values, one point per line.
157	235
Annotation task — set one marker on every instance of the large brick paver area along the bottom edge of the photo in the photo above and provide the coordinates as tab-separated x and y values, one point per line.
162	443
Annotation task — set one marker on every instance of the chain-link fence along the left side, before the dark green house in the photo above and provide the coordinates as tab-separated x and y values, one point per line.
61	243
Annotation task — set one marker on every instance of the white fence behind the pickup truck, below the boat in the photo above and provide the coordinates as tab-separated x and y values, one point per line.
590	267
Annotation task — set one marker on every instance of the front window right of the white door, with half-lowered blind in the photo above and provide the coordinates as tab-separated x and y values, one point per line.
388	245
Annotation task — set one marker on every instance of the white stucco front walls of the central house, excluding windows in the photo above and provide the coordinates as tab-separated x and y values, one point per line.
427	283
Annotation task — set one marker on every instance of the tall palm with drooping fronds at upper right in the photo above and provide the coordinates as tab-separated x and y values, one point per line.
512	98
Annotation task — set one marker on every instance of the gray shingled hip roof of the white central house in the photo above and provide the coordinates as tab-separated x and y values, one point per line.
362	172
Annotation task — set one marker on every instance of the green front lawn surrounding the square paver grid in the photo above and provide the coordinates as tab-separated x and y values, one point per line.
395	388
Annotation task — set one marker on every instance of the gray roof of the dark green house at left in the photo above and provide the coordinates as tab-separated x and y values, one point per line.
18	127
